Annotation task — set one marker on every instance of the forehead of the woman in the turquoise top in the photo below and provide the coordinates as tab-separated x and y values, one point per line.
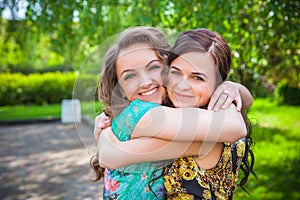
135	56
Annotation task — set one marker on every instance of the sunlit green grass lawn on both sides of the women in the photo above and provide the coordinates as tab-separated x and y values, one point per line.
276	133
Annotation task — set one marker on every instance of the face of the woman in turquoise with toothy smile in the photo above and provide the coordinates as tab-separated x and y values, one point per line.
139	71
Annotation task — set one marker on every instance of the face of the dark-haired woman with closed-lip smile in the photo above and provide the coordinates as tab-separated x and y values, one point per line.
192	80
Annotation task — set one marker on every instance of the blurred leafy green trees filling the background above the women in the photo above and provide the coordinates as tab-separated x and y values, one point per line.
59	35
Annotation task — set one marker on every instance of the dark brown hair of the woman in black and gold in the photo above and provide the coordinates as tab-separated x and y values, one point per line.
203	40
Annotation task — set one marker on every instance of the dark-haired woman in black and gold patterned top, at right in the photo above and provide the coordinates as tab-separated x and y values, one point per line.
196	56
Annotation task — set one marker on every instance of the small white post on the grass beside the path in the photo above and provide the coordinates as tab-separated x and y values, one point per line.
70	111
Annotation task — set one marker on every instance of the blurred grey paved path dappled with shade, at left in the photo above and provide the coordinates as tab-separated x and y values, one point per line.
46	161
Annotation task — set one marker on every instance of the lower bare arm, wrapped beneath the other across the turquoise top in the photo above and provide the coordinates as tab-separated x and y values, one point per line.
115	154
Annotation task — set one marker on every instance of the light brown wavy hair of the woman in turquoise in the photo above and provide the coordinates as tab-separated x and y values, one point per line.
109	91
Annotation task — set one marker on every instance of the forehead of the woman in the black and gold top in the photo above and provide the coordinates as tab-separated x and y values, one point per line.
194	62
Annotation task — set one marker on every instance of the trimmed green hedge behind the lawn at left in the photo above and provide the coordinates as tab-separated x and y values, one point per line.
47	88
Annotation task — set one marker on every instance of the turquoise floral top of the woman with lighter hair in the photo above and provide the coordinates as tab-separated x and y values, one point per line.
131	182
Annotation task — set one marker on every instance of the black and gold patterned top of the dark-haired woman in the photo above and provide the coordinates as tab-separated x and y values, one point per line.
185	180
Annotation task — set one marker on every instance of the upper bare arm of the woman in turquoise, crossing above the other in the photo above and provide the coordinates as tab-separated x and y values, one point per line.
190	124
